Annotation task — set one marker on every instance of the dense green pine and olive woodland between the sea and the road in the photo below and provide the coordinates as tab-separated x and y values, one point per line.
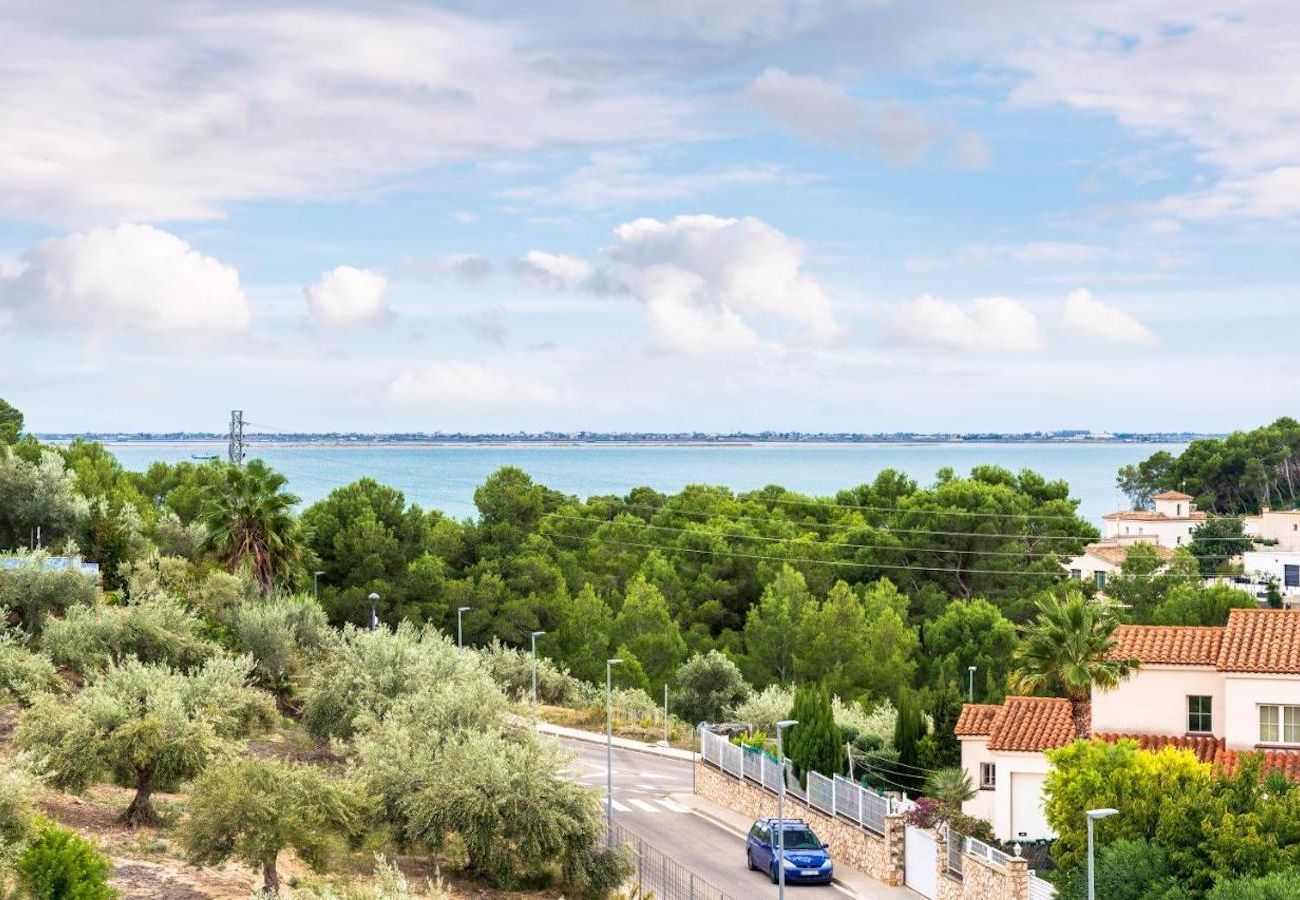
863	612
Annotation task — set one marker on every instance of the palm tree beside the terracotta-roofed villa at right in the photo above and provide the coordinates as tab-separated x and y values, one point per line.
1068	651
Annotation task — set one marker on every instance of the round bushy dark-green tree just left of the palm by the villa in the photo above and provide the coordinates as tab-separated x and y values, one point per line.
972	634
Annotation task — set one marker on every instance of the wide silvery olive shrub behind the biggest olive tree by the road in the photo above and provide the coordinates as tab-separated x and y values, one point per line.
366	673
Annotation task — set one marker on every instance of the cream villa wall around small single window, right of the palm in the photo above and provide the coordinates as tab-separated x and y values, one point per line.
1154	702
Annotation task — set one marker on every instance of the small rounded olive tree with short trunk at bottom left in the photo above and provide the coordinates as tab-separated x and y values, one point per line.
253	810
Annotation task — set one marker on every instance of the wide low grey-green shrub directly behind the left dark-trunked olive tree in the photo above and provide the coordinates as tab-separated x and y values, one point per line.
154	630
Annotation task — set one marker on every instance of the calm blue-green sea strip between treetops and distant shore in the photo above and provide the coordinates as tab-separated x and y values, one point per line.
445	477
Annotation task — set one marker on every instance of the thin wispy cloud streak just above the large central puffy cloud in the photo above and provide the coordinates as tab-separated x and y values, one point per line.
616	179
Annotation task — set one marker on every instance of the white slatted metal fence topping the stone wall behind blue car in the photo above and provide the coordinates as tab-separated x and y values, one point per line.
835	797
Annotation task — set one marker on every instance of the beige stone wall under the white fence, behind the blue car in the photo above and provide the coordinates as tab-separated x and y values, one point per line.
879	858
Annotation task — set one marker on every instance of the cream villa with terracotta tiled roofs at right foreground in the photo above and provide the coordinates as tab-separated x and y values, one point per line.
1219	693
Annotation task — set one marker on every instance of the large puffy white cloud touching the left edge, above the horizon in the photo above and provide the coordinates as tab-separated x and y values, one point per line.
125	279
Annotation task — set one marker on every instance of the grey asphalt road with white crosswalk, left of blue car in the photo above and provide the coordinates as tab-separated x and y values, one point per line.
642	785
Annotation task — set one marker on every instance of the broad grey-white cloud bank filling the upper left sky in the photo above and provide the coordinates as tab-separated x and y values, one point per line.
172	111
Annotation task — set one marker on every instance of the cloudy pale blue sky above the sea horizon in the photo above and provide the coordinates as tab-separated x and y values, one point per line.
651	215
